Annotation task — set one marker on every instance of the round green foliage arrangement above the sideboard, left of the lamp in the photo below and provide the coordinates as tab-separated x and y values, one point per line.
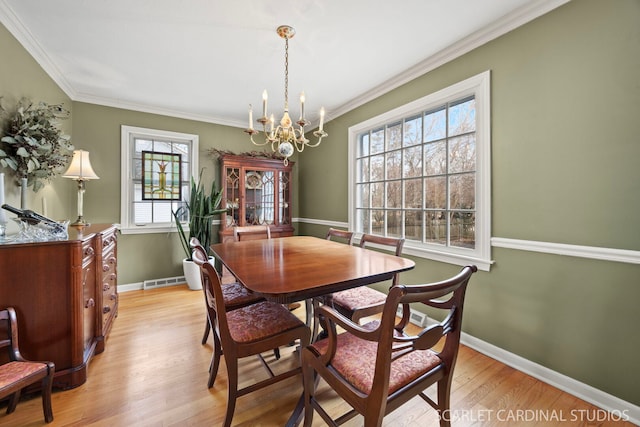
33	146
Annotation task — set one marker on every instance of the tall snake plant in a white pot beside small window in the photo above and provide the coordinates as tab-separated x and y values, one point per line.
199	212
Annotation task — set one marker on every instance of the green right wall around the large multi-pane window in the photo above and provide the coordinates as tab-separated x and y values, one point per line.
565	98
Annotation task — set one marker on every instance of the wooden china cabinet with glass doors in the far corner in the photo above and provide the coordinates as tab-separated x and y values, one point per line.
257	191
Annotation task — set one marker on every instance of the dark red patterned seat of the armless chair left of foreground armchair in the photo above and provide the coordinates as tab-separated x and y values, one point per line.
260	320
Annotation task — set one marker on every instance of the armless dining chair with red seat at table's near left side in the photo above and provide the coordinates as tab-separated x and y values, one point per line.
247	331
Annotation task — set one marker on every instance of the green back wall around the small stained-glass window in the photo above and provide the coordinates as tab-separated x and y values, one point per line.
146	256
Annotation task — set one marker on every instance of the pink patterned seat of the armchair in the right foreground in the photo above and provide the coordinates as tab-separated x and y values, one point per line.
355	360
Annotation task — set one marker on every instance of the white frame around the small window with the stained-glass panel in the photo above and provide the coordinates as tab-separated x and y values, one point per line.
127	135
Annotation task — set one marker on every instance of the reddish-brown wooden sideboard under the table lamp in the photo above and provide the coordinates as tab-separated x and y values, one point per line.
65	296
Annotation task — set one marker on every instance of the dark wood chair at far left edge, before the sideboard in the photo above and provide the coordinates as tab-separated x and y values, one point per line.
16	372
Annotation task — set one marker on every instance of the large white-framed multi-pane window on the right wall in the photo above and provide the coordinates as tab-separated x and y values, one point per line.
422	172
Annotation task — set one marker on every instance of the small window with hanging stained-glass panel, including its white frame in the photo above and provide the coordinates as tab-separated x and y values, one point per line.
149	190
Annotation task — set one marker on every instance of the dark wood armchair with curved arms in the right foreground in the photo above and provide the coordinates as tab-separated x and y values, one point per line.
377	367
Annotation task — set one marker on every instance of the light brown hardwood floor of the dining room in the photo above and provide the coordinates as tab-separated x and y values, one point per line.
154	373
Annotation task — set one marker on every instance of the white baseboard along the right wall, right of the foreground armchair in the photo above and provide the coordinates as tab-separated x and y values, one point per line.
576	388
